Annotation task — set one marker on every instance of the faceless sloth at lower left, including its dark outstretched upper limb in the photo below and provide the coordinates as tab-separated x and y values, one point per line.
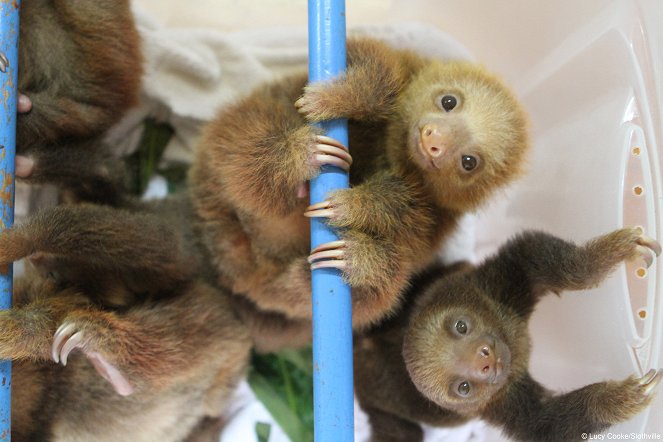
130	282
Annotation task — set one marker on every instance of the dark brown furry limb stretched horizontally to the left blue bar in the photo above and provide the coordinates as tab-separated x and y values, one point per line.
118	256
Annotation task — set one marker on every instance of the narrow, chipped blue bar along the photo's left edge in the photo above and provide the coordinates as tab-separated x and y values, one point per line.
8	74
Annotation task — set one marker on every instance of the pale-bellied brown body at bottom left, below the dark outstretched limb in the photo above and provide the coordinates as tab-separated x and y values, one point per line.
183	357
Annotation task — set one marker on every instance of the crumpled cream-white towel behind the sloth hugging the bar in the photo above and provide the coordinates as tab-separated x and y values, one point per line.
191	73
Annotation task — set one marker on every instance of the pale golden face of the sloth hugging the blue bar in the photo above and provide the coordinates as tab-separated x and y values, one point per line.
465	131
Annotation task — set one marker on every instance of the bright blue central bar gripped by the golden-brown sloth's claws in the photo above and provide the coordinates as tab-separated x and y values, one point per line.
332	304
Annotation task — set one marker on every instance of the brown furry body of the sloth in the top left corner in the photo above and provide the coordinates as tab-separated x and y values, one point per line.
80	63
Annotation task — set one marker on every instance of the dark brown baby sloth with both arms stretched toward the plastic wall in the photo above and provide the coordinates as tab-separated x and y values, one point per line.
459	349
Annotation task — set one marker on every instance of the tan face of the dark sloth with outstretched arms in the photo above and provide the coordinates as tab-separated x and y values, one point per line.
458	354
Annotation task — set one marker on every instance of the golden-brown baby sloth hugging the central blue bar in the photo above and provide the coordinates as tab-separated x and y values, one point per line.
430	141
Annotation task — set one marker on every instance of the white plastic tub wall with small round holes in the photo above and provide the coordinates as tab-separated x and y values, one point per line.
595	105
